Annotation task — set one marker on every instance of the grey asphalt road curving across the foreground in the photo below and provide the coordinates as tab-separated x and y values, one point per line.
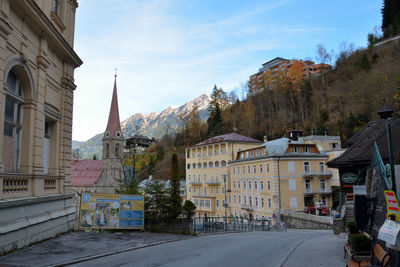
292	248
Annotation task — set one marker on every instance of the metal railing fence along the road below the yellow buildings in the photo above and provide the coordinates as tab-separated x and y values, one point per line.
232	224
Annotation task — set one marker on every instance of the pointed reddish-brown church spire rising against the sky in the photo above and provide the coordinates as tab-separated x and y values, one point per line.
113	129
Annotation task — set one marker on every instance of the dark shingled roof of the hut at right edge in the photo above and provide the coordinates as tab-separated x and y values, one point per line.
361	144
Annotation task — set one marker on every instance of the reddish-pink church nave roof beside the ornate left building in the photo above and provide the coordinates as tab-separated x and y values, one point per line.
85	172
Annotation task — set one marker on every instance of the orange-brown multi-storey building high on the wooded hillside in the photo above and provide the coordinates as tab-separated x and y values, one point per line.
270	71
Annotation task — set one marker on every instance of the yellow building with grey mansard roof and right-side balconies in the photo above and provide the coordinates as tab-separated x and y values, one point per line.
282	174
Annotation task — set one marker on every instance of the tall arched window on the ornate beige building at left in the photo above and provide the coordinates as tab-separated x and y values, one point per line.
12	140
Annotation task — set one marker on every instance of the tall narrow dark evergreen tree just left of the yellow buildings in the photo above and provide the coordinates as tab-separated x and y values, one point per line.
175	185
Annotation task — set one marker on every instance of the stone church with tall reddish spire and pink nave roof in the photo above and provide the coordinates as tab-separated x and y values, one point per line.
105	175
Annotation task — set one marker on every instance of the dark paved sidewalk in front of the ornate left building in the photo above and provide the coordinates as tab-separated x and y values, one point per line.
78	245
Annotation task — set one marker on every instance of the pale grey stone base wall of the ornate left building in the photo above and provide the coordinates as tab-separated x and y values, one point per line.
33	219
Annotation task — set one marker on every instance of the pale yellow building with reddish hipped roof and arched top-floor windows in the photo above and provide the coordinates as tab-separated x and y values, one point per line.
206	167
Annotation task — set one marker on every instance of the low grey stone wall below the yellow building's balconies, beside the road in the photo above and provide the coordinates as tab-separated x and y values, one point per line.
299	220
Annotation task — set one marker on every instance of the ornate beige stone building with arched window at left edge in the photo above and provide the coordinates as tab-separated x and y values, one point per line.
37	64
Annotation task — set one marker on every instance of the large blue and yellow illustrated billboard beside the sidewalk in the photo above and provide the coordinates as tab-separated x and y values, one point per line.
111	211
